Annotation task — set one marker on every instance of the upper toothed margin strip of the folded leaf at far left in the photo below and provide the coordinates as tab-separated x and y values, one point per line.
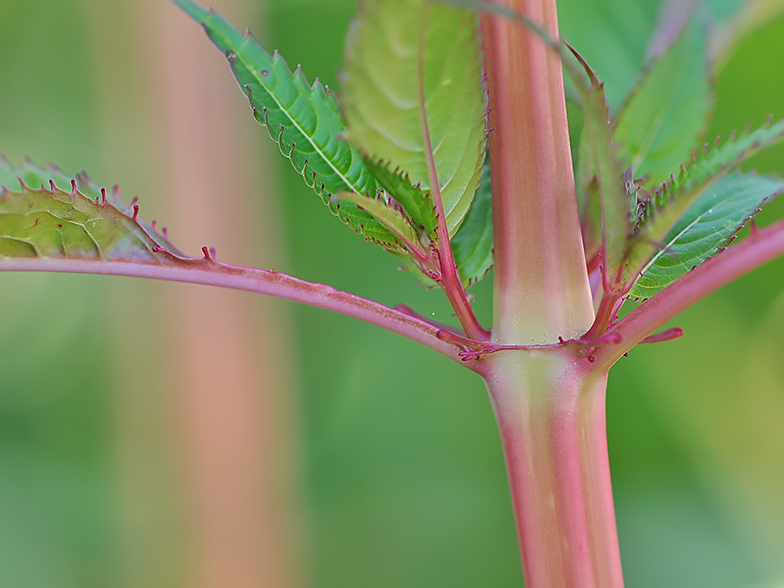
34	176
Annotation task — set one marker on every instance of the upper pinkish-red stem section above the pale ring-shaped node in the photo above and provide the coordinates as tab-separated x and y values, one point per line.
541	285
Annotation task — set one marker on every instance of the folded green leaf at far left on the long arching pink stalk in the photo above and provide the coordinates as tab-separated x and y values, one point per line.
79	222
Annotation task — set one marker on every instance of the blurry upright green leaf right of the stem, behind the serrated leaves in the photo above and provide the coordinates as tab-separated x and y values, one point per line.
661	122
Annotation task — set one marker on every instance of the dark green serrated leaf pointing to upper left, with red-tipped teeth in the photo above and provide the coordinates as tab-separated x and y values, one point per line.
303	119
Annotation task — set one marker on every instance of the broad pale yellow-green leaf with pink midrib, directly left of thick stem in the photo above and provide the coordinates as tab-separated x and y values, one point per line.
408	61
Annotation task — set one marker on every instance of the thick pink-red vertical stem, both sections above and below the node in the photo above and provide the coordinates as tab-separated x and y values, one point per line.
549	404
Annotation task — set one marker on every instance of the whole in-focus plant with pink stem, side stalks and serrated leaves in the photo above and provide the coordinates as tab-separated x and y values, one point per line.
448	146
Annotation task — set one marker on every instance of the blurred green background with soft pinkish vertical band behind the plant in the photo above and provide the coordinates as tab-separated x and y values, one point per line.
376	462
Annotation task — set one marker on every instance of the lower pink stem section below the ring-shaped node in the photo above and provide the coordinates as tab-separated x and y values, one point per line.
551	415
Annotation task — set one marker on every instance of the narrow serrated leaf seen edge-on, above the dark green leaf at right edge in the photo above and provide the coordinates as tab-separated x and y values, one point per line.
674	198
